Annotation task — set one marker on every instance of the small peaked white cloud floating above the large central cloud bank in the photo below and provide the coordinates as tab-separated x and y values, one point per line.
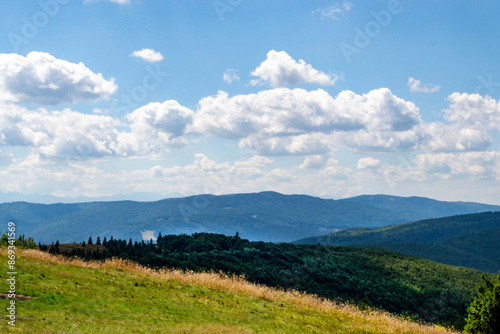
279	70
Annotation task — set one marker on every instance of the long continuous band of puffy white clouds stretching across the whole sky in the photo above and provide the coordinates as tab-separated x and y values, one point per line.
274	122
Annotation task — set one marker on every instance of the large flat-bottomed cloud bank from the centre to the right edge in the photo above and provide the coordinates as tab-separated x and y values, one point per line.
284	121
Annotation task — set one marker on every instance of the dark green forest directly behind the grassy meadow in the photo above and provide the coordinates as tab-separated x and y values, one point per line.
415	288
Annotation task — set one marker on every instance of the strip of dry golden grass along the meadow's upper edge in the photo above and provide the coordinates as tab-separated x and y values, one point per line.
372	319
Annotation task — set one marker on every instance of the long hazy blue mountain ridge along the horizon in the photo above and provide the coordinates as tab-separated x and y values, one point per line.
265	216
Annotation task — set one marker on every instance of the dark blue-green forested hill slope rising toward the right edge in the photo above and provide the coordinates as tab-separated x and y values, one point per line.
466	240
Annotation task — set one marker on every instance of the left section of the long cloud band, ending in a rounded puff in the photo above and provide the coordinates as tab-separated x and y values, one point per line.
68	134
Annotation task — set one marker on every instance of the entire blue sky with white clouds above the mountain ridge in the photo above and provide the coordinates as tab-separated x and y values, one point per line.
326	98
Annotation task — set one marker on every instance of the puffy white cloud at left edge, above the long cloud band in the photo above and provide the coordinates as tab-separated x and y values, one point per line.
42	79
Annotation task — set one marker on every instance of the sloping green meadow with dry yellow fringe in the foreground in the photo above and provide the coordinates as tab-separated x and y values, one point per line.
123	298
